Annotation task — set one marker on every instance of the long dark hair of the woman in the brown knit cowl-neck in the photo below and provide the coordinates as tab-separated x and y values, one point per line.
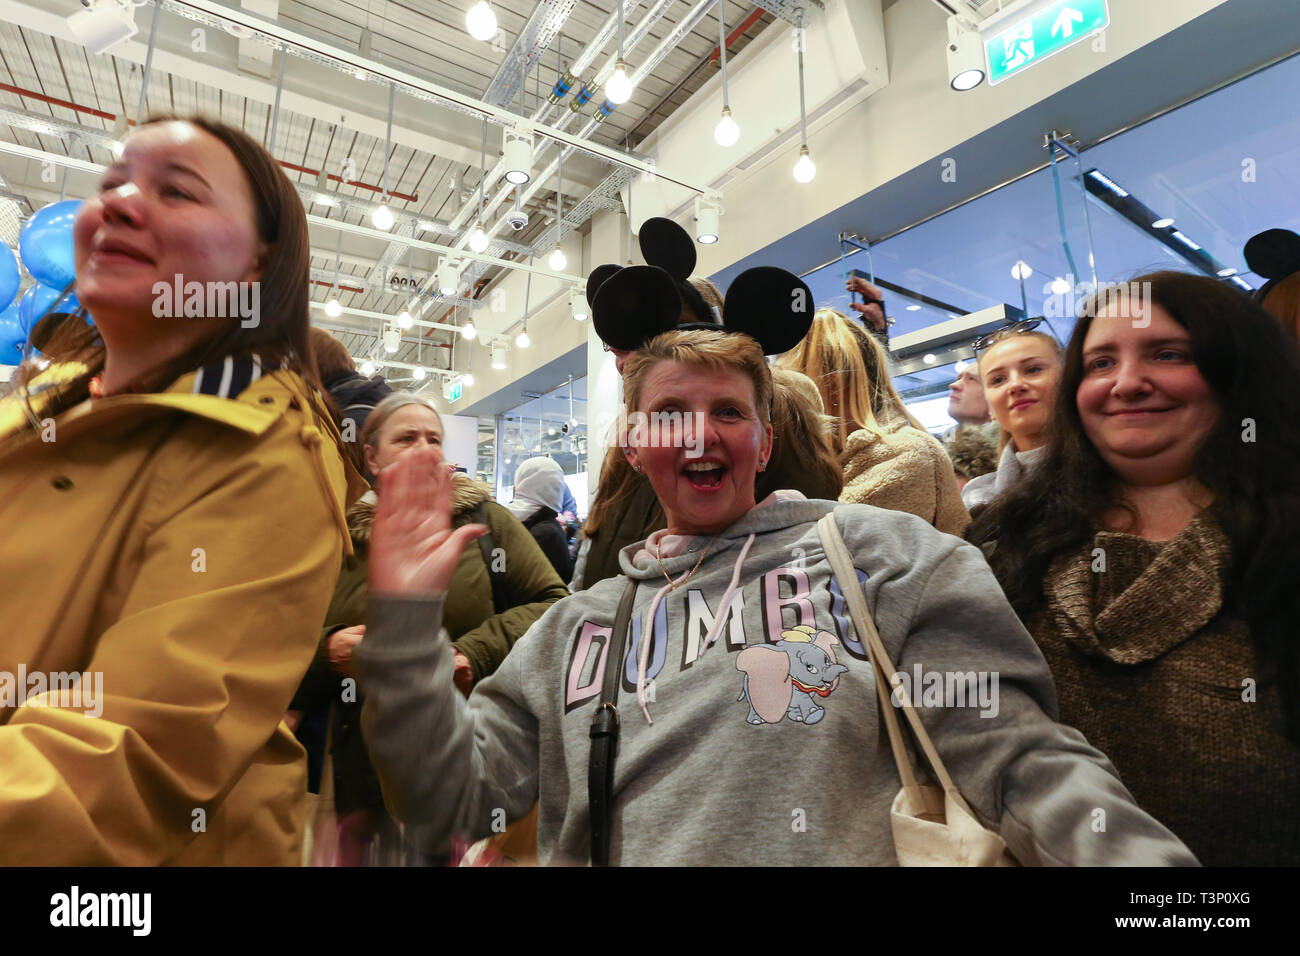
1251	367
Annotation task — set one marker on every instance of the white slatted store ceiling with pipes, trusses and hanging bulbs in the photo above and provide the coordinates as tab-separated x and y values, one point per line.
58	98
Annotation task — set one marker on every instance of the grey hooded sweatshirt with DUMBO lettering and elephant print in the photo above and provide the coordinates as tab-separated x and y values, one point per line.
743	754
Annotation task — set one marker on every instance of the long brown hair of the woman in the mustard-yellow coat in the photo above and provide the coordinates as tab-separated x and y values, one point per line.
280	336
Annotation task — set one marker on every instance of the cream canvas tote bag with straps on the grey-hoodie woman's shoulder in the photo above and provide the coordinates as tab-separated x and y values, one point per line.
933	827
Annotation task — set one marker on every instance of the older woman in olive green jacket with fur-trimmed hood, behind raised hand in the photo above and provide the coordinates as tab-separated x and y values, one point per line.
483	625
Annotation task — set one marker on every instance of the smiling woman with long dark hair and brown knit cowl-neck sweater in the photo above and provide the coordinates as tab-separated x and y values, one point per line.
1152	555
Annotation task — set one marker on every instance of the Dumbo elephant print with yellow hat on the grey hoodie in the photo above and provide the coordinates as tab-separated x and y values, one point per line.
785	680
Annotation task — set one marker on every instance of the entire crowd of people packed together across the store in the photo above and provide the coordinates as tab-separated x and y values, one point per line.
1084	590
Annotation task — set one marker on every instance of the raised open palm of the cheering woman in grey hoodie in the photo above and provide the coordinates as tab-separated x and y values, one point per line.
414	550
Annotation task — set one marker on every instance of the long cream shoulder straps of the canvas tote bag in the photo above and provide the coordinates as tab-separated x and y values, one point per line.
842	564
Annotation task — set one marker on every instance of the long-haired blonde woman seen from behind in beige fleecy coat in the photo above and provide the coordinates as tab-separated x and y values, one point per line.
889	460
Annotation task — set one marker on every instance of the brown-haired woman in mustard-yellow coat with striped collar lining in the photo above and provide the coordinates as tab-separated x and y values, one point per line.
172	492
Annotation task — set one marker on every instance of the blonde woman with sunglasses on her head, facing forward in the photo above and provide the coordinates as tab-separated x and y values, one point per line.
1020	370
